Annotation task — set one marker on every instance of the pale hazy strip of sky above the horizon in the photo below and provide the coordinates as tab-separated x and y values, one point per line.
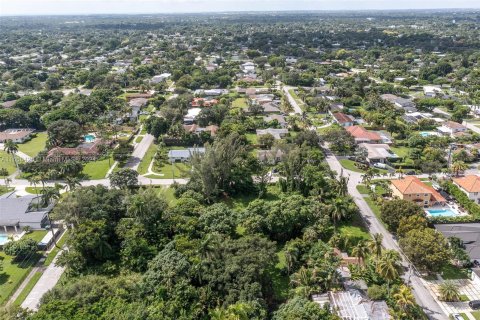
64	7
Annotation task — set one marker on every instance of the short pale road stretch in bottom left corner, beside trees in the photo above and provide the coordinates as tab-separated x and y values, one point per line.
47	281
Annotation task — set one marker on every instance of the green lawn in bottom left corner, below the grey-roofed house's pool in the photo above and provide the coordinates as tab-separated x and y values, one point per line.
13	274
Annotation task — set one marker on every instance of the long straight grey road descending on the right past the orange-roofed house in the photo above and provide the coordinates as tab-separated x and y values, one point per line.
422	294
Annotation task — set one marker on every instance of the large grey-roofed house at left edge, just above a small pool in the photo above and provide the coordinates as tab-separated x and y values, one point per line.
19	212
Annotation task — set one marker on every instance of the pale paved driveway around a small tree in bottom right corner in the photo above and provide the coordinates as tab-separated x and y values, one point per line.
465	287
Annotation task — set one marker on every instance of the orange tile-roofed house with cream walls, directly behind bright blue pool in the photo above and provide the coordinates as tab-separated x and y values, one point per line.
412	189
